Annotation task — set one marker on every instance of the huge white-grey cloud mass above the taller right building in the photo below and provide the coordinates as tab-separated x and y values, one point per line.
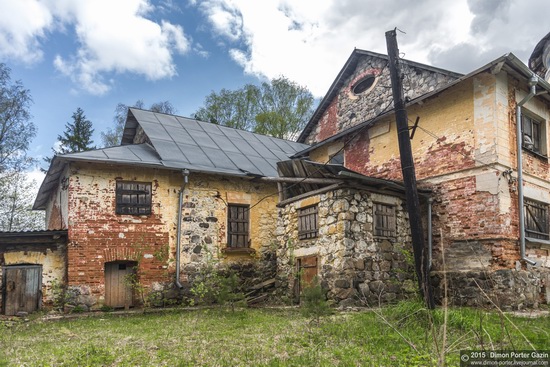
309	41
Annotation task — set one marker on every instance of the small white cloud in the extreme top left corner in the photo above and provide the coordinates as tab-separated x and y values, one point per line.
23	24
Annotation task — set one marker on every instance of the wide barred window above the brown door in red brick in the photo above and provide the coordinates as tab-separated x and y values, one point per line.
133	198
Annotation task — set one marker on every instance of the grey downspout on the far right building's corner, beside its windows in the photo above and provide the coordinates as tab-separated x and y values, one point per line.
519	141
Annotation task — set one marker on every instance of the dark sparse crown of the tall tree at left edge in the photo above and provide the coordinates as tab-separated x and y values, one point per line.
16	129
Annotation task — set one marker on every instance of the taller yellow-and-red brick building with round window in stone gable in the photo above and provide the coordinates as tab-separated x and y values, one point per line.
466	152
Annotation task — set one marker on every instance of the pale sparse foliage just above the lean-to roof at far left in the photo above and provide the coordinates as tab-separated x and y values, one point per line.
17	193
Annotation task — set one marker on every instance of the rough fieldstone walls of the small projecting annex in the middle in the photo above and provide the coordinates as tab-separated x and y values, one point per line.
354	267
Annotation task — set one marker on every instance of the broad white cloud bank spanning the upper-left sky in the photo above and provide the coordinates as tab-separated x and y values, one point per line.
112	37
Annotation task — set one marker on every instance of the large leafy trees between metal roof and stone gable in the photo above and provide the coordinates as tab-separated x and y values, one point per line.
278	108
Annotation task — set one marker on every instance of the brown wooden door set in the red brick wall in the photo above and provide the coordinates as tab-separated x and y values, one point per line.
118	292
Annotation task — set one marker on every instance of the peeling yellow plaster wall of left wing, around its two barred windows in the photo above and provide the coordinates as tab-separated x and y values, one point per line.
210	194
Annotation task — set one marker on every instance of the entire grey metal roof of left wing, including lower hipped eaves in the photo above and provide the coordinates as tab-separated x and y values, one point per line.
175	142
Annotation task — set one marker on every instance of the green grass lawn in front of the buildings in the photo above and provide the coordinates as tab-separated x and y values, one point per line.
402	335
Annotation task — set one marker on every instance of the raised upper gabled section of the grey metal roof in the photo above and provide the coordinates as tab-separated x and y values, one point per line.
185	143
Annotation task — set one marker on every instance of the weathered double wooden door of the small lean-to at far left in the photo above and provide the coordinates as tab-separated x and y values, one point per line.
23	288
